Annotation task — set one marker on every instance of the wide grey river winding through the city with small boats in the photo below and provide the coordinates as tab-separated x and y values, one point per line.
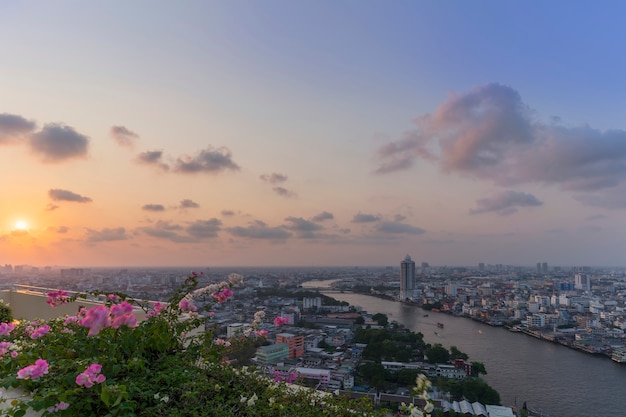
559	381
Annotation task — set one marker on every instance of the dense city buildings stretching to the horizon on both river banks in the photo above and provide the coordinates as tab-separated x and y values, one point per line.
581	308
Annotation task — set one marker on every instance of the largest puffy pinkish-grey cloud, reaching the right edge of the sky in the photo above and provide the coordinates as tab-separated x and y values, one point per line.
490	133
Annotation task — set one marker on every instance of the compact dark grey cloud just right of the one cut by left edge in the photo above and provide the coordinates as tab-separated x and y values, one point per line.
57	143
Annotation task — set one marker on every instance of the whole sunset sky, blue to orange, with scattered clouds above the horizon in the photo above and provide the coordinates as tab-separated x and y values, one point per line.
312	133
